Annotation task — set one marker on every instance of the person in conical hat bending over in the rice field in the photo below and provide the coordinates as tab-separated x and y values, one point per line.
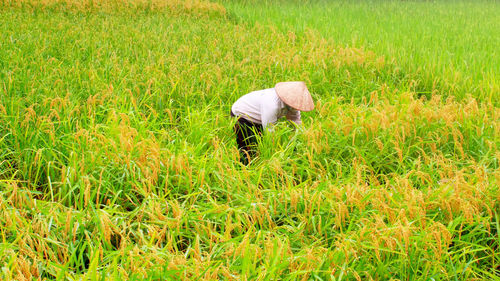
258	110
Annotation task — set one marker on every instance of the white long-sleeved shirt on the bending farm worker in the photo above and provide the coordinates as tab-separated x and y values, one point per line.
264	107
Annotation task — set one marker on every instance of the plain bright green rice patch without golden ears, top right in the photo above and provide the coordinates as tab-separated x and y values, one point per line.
448	47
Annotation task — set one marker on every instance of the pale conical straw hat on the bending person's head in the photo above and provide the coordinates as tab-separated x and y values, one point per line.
295	94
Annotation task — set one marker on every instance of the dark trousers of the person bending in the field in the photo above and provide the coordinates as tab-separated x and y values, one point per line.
246	137
